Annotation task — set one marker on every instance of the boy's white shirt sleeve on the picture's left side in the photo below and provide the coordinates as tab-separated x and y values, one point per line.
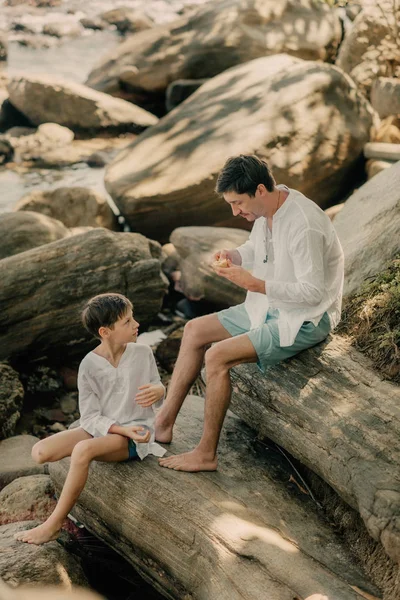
91	419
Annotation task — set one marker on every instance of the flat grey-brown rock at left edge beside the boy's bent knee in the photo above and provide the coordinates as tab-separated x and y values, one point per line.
16	460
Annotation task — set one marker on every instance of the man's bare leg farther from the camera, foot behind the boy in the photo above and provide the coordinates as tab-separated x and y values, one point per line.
198	334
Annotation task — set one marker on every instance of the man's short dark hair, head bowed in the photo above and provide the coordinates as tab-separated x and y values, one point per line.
243	174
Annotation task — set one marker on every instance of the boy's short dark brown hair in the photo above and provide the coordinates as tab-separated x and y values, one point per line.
104	310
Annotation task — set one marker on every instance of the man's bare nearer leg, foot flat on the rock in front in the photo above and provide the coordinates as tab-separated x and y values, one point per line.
219	360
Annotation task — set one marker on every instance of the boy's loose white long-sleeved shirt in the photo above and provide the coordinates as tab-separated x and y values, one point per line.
107	394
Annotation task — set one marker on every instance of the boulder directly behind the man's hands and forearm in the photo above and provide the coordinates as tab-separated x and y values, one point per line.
195	247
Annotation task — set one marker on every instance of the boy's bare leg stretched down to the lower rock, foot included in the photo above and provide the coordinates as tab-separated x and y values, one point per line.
111	447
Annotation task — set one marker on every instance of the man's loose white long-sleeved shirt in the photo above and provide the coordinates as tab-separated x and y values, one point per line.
308	267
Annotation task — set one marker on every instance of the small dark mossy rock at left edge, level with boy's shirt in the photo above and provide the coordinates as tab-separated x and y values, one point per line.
11	400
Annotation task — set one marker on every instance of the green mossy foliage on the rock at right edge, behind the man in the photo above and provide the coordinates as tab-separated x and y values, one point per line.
372	319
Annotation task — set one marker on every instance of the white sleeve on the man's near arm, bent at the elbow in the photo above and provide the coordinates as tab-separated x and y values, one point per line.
307	252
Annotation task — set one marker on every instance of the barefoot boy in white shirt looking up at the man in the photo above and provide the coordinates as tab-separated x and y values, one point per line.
119	388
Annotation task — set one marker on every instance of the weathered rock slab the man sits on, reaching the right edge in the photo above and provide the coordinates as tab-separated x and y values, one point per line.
334	414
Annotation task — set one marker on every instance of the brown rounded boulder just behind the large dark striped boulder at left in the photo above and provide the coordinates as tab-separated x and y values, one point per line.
73	206
